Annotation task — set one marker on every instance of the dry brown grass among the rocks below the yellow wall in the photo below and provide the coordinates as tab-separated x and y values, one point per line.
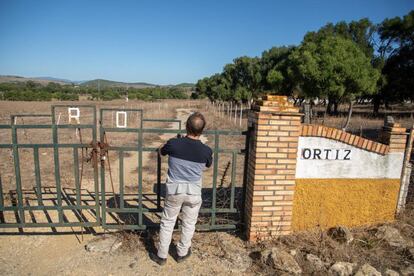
365	248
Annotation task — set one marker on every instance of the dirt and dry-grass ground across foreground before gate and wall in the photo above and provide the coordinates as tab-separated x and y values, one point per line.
214	253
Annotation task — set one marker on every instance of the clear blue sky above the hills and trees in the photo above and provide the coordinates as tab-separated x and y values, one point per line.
163	42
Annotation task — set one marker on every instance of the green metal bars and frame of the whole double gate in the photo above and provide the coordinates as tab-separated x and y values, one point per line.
100	207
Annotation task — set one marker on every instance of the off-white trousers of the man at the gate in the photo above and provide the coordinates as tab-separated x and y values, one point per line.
190	205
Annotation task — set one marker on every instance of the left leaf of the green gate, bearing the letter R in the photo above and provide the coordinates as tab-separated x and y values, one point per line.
20	207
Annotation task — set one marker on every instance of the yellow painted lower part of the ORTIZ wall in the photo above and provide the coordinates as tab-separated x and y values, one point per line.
350	202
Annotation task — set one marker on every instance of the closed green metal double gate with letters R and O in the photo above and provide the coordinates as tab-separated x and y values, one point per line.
37	203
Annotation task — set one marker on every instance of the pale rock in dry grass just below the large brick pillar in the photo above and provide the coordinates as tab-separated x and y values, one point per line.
280	260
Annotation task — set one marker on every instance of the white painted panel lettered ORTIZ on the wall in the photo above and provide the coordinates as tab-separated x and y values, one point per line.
325	158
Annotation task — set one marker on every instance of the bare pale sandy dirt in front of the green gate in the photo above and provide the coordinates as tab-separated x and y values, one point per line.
65	255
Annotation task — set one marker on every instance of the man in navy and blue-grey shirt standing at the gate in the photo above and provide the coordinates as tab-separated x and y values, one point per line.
187	158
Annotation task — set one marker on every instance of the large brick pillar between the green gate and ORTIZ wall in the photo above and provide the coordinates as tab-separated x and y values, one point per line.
271	171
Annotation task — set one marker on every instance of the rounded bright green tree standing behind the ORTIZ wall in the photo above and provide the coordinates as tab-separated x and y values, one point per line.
334	68
